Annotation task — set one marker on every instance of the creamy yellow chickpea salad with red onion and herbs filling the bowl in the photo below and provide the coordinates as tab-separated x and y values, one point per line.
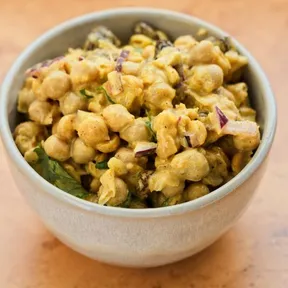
152	123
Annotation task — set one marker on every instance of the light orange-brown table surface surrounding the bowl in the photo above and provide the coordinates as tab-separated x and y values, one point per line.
252	254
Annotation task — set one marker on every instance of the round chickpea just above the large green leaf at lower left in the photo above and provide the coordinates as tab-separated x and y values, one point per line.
57	148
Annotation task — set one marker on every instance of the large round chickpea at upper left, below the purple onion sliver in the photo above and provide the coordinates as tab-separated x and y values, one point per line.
55	85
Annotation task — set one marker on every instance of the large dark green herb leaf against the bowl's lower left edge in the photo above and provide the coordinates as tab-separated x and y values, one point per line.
53	172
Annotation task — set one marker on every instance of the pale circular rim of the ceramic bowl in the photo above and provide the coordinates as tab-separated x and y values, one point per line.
19	161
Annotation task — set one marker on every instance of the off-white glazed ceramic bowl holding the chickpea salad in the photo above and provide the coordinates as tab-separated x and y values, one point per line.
145	237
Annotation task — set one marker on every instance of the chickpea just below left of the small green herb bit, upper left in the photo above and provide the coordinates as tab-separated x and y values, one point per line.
71	103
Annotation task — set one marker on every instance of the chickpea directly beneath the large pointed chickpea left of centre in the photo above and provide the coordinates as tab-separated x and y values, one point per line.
82	153
